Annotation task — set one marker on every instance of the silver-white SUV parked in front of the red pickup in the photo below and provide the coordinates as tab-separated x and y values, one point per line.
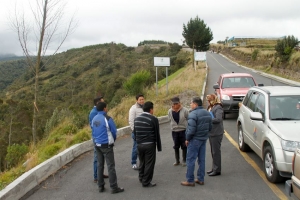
269	123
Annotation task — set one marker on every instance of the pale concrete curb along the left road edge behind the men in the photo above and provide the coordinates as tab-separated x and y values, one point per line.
32	178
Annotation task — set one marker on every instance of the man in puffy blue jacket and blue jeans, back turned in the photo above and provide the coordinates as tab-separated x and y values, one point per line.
199	125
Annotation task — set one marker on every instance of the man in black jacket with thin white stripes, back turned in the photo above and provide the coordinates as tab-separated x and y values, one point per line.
147	136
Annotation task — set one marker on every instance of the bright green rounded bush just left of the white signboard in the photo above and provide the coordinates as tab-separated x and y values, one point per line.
136	83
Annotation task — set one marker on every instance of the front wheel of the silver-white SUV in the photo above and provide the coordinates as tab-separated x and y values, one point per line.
271	172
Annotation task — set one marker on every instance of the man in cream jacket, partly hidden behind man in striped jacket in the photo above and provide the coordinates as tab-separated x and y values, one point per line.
134	112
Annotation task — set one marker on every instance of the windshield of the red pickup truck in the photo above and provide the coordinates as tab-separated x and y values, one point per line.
238	82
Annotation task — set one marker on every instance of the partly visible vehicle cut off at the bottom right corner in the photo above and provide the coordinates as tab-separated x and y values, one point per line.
292	186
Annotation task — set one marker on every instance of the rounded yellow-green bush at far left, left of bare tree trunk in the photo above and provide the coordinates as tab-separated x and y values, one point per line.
15	154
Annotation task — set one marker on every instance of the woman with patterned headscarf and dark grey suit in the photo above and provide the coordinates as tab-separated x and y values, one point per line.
216	134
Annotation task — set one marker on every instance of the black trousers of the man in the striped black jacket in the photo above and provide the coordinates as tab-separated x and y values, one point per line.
147	156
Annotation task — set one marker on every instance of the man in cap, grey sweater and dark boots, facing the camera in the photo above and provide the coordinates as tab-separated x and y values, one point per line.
178	116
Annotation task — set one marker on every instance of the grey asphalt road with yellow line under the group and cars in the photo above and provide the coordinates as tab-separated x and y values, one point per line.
239	180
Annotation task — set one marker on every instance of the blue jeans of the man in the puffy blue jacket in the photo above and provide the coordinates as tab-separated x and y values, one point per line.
195	149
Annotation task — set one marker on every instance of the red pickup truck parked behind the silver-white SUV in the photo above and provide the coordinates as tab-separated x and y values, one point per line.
231	89
